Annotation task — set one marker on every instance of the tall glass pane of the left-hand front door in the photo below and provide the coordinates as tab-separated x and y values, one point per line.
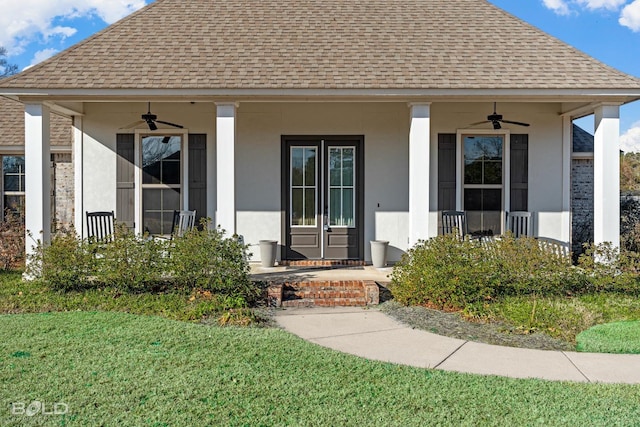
303	186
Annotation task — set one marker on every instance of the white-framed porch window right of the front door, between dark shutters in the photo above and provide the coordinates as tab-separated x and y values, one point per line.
483	183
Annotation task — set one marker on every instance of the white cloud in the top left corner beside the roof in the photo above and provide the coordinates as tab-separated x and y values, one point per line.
26	21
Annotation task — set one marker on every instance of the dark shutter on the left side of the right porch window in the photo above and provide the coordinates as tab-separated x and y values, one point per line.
446	171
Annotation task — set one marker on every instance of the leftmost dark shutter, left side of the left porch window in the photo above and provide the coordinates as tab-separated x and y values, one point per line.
125	188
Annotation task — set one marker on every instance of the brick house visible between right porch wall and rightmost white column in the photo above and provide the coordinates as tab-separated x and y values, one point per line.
581	189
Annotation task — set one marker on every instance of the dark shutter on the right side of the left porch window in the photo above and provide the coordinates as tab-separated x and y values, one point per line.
198	175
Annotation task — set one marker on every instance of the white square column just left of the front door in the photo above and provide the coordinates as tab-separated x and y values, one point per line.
225	167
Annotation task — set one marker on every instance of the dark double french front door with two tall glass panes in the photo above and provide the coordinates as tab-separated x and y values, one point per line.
323	197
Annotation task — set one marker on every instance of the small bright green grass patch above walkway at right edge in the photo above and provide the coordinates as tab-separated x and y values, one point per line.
617	337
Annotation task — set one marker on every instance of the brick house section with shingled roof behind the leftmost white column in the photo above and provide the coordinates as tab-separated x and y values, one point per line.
13	175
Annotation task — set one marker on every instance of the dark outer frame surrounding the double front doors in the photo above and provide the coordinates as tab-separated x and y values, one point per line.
286	142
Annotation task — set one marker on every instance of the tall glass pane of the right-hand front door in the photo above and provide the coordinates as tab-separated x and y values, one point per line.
341	186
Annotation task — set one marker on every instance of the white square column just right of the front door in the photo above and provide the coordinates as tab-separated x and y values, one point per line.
419	146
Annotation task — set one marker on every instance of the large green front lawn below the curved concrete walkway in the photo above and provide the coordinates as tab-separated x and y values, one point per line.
121	369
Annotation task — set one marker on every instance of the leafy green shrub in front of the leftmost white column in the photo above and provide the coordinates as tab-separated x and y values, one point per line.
66	263
